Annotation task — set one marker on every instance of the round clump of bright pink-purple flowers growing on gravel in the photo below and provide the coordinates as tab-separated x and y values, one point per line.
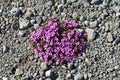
59	42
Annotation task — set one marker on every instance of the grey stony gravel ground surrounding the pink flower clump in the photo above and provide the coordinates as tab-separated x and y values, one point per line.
100	60
